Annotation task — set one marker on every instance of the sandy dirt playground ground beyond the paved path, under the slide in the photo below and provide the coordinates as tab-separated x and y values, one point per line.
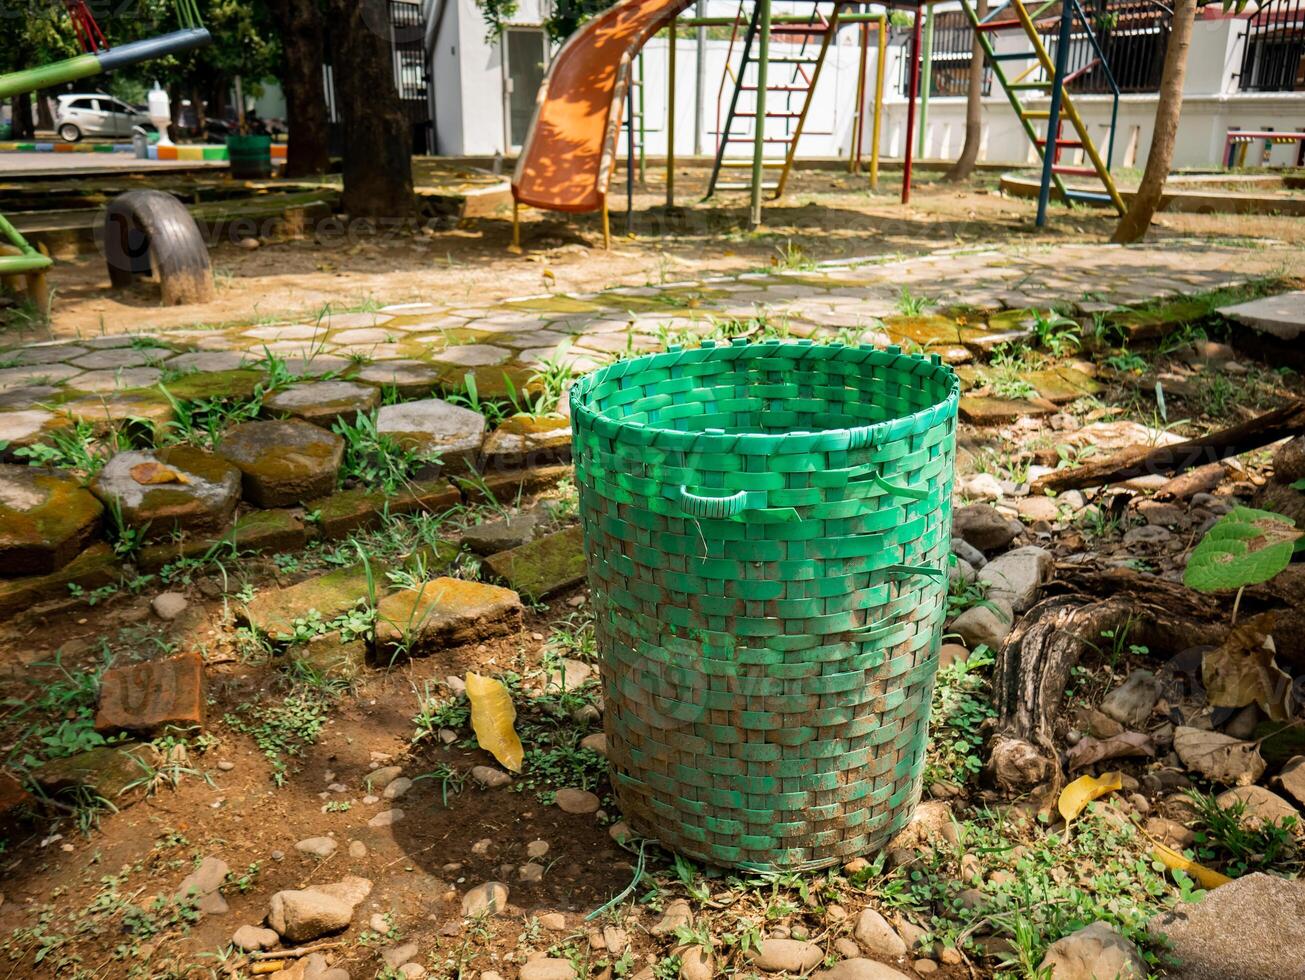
827	215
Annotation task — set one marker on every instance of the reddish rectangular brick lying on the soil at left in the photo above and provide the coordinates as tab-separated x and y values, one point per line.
148	697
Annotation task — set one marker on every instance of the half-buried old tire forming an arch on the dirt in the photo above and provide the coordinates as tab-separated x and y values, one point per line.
149	233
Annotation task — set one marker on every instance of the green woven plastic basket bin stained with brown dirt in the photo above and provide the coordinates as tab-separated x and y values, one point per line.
768	529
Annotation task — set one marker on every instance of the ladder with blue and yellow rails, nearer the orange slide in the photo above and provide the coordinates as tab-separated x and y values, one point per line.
805	69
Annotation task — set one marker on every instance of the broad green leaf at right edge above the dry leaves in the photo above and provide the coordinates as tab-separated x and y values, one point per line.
1246	547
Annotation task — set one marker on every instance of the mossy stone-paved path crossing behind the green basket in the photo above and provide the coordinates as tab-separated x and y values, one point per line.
420	348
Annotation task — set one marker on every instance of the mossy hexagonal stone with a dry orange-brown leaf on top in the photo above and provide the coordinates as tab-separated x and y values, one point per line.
176	489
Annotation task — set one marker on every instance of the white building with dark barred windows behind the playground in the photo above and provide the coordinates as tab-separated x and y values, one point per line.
1246	72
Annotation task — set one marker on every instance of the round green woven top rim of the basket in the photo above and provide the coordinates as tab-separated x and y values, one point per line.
833	439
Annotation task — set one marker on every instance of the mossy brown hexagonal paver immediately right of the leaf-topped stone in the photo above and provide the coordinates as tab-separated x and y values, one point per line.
284	463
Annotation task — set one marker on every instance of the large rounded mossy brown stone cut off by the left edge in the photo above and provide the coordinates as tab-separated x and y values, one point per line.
46	520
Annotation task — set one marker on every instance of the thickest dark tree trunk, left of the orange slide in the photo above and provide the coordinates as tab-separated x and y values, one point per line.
378	143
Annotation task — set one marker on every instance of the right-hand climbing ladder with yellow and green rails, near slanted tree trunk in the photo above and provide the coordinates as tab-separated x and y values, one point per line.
1055	85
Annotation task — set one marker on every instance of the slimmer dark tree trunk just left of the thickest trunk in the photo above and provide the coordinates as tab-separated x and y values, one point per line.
305	50
